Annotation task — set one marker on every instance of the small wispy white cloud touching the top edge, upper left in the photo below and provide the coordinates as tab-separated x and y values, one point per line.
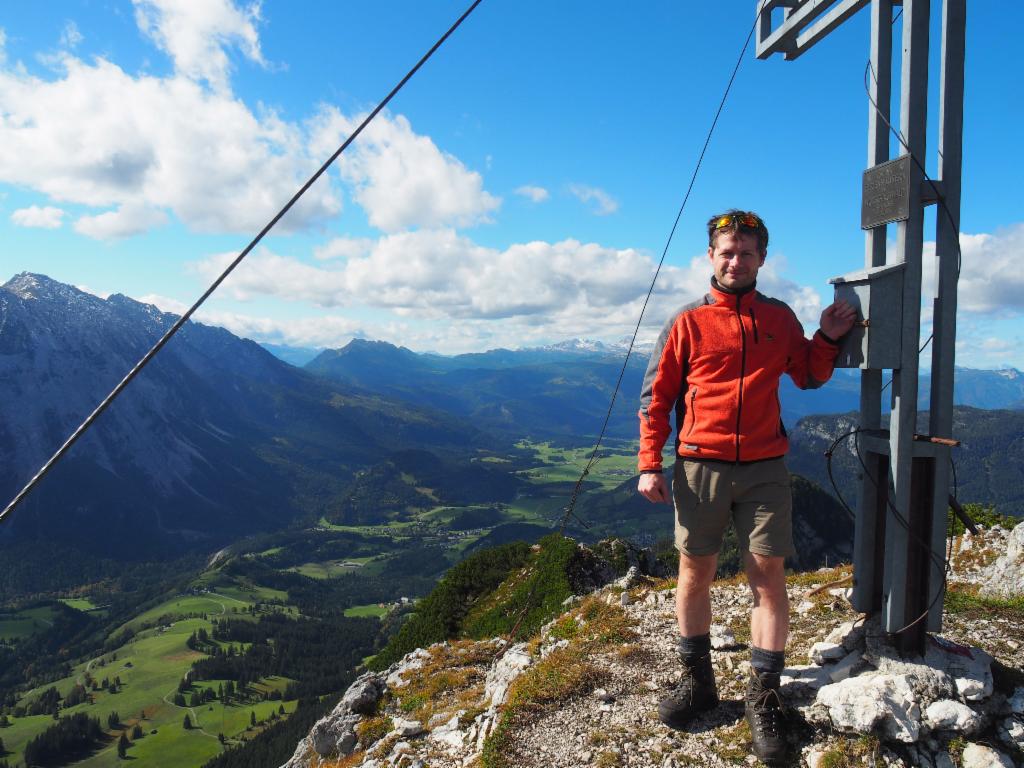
195	35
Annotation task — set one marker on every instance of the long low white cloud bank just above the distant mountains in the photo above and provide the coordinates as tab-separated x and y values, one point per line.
566	288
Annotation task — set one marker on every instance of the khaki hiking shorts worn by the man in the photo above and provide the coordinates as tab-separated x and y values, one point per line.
756	497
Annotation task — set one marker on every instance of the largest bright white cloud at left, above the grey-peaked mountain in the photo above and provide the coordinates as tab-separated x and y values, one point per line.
101	138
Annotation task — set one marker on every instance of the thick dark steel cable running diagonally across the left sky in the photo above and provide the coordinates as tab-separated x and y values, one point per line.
231	268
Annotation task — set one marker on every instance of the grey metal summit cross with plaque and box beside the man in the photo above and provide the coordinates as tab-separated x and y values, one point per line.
902	516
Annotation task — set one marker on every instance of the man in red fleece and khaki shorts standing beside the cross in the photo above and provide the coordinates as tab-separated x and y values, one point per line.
717	364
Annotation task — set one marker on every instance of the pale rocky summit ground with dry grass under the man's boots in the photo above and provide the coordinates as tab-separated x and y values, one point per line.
584	692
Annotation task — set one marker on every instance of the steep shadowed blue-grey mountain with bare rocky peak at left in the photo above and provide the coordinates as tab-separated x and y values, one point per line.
216	439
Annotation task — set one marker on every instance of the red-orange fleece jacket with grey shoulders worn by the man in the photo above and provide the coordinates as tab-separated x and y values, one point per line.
718	363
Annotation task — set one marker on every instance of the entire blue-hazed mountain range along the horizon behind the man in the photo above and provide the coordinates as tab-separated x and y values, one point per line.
219	439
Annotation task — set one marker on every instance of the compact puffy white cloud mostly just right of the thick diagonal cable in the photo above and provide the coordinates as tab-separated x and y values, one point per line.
401	179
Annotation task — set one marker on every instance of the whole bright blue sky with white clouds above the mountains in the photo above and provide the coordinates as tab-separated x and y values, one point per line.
519	191
